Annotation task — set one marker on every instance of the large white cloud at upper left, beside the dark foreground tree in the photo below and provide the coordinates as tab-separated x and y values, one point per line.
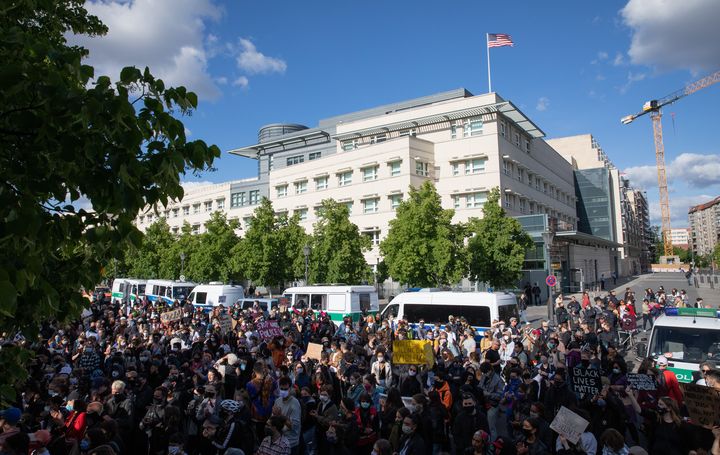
166	35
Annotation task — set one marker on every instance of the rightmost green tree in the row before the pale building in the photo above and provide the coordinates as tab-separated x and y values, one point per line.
497	245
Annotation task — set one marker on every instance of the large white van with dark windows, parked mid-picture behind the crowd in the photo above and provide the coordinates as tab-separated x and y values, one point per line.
434	306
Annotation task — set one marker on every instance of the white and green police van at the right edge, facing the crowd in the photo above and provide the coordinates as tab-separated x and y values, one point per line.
686	337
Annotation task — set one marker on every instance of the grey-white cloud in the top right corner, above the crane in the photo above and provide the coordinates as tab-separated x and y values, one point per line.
671	34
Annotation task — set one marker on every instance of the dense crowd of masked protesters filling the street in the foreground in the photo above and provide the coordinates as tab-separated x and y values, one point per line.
123	382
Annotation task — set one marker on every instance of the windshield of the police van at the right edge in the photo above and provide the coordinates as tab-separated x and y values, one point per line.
685	344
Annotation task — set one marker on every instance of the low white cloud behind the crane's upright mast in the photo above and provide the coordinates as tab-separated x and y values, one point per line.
691	169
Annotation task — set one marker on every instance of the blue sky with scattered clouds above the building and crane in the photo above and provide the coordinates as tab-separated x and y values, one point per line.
577	67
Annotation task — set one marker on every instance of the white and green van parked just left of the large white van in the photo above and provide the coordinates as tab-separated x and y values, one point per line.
338	301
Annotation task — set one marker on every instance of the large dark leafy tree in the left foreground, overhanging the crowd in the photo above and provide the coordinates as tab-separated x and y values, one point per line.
64	136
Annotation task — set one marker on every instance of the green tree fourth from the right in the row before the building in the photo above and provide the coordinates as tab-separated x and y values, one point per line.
270	253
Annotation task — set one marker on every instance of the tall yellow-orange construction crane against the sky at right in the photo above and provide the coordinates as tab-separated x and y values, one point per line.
653	108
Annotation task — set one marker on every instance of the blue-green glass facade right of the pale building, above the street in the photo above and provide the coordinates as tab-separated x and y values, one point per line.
594	206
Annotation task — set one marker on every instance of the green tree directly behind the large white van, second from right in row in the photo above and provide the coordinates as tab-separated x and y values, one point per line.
423	247
